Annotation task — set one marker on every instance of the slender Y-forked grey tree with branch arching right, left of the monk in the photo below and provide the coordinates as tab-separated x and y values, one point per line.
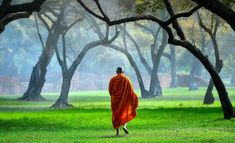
68	71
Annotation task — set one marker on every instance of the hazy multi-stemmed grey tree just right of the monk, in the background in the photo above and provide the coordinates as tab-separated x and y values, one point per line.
156	53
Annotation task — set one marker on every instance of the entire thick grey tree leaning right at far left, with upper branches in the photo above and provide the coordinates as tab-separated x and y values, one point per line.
38	74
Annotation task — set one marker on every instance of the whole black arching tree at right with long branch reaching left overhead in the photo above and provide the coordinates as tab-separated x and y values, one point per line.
223	95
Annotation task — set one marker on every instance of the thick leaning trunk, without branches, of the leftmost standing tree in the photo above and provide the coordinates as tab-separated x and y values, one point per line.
37	78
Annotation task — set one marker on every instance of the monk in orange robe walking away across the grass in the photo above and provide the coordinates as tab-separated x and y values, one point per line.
124	101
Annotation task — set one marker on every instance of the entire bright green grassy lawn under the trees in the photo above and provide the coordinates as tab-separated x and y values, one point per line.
178	116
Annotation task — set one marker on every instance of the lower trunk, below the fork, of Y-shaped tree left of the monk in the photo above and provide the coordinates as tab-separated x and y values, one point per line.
62	101
